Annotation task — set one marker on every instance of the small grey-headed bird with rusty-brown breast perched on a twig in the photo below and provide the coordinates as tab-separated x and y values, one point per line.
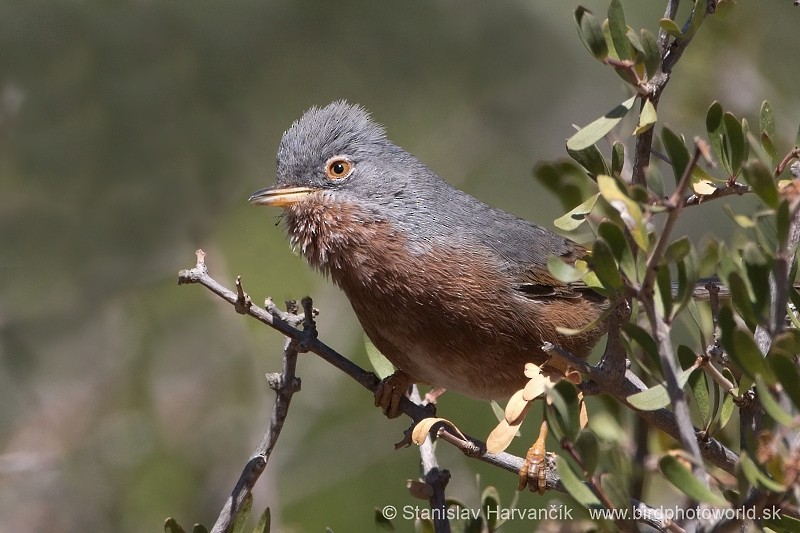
455	293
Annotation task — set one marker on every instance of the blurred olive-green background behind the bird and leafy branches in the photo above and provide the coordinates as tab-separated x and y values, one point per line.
132	132
